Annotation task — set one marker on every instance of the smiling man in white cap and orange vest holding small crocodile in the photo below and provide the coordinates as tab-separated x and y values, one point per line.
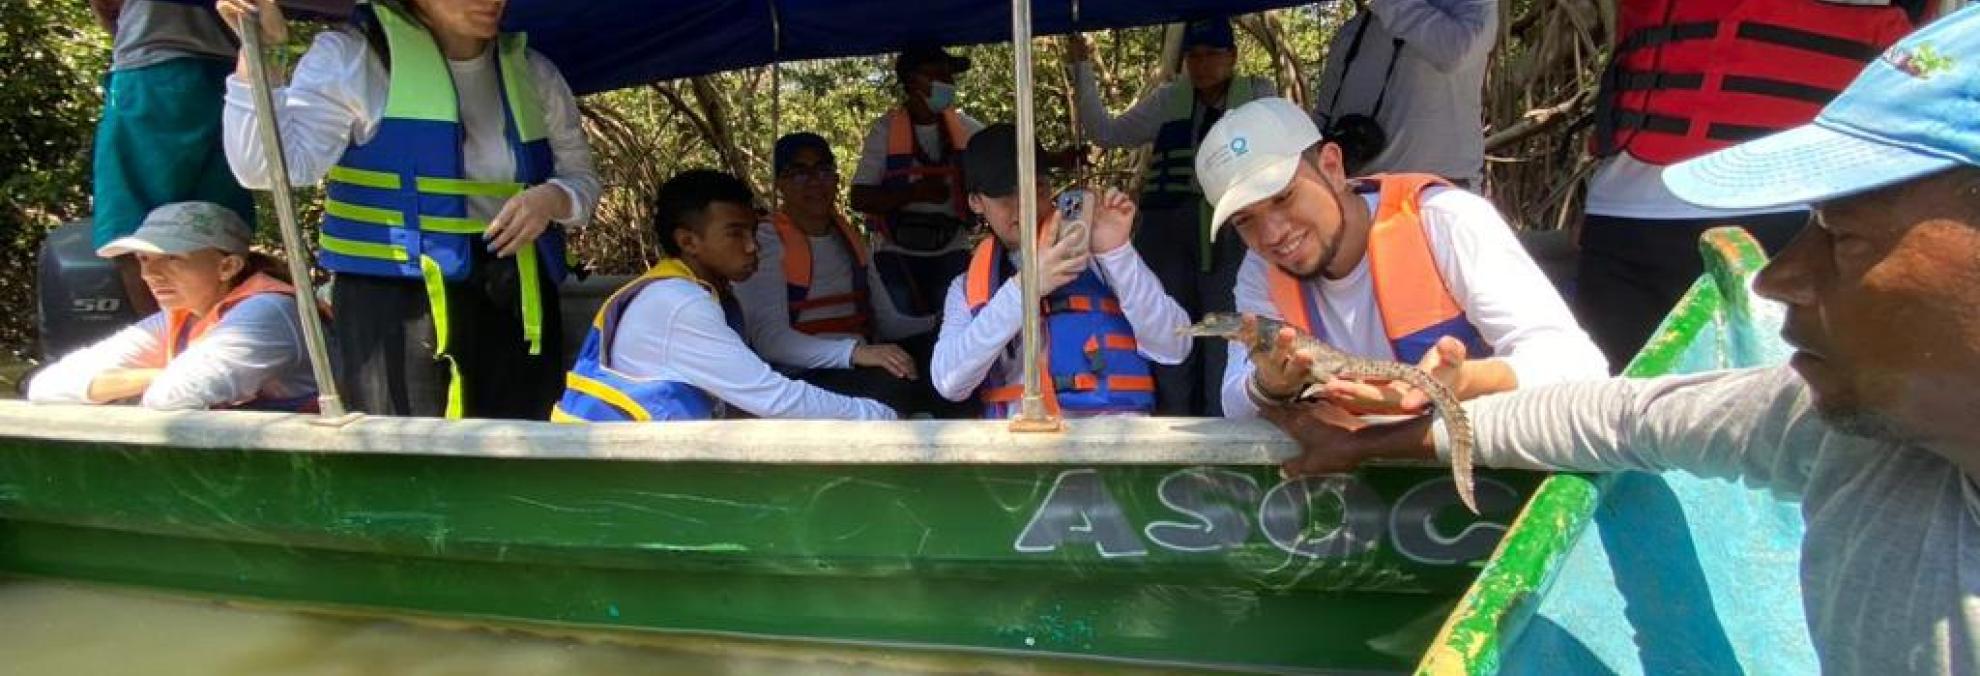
1385	267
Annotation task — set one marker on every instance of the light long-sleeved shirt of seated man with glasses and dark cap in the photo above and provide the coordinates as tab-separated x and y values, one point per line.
767	306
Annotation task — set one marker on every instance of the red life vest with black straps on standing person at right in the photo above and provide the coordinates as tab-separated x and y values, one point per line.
1696	76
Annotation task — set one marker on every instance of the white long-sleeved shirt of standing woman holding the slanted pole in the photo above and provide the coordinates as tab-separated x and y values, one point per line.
340	94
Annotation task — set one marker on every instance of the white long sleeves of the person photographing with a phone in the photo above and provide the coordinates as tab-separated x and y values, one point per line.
971	346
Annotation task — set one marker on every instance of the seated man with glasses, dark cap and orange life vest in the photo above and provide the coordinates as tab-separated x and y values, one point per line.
817	300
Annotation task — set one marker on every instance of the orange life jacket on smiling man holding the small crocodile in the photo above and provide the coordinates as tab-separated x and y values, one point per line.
1417	304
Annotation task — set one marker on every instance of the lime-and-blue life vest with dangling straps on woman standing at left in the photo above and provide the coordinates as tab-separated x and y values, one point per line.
397	205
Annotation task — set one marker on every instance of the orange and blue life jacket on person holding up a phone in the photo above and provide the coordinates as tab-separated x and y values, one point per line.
1092	360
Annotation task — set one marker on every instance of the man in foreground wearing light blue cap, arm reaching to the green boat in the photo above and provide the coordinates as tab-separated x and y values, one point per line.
1870	425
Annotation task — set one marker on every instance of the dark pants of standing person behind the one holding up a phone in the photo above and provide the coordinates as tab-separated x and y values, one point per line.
1167	241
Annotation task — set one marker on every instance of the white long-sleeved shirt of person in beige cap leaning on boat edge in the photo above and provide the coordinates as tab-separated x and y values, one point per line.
254	352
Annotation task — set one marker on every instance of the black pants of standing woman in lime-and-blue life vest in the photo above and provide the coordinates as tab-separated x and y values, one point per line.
385	346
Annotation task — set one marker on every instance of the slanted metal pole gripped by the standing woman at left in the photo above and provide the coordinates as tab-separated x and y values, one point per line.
292	235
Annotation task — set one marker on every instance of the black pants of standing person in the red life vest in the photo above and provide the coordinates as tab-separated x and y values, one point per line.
1634	271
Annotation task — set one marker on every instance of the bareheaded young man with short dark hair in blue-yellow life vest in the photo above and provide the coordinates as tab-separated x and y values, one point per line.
670	344
